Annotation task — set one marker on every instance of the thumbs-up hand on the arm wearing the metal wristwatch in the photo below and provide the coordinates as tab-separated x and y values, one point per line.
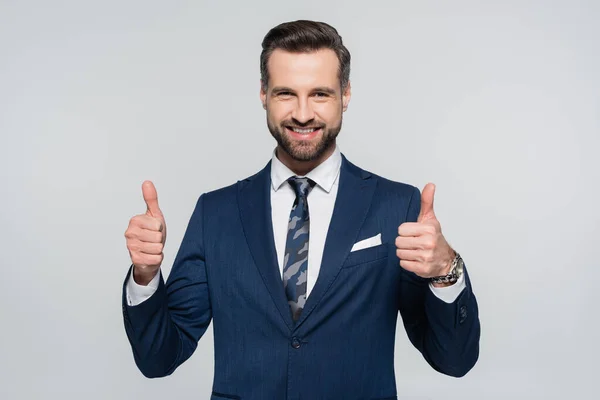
420	245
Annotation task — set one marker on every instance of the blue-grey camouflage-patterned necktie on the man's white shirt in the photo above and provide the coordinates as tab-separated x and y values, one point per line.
295	263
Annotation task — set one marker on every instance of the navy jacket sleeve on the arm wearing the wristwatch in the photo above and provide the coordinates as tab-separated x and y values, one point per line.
446	334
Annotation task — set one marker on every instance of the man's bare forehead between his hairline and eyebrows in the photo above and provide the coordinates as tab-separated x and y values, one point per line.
303	70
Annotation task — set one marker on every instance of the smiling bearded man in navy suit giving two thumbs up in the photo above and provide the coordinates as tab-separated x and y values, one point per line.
304	266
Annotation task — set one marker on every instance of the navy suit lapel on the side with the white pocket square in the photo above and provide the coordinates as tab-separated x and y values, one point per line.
351	206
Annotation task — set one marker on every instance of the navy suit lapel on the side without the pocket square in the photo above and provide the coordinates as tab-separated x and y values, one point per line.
254	199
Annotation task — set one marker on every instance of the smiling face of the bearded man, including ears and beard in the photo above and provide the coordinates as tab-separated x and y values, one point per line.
304	103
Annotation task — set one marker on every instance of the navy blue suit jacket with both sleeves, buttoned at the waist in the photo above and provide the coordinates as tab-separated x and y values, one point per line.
342	347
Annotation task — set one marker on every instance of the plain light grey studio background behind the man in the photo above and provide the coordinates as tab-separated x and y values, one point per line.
496	102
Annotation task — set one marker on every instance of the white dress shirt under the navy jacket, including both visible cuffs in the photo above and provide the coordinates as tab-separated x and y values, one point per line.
321	200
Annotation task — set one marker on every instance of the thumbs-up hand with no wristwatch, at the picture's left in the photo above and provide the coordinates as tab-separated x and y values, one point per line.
146	236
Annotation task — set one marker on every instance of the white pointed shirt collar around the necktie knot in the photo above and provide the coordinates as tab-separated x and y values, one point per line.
324	175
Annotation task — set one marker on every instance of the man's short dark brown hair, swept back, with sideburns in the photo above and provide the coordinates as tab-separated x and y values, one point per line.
305	36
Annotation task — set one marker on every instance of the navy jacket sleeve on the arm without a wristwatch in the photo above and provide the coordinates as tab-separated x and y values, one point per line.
165	329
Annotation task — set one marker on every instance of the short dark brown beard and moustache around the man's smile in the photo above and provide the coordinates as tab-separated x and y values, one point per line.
304	150
